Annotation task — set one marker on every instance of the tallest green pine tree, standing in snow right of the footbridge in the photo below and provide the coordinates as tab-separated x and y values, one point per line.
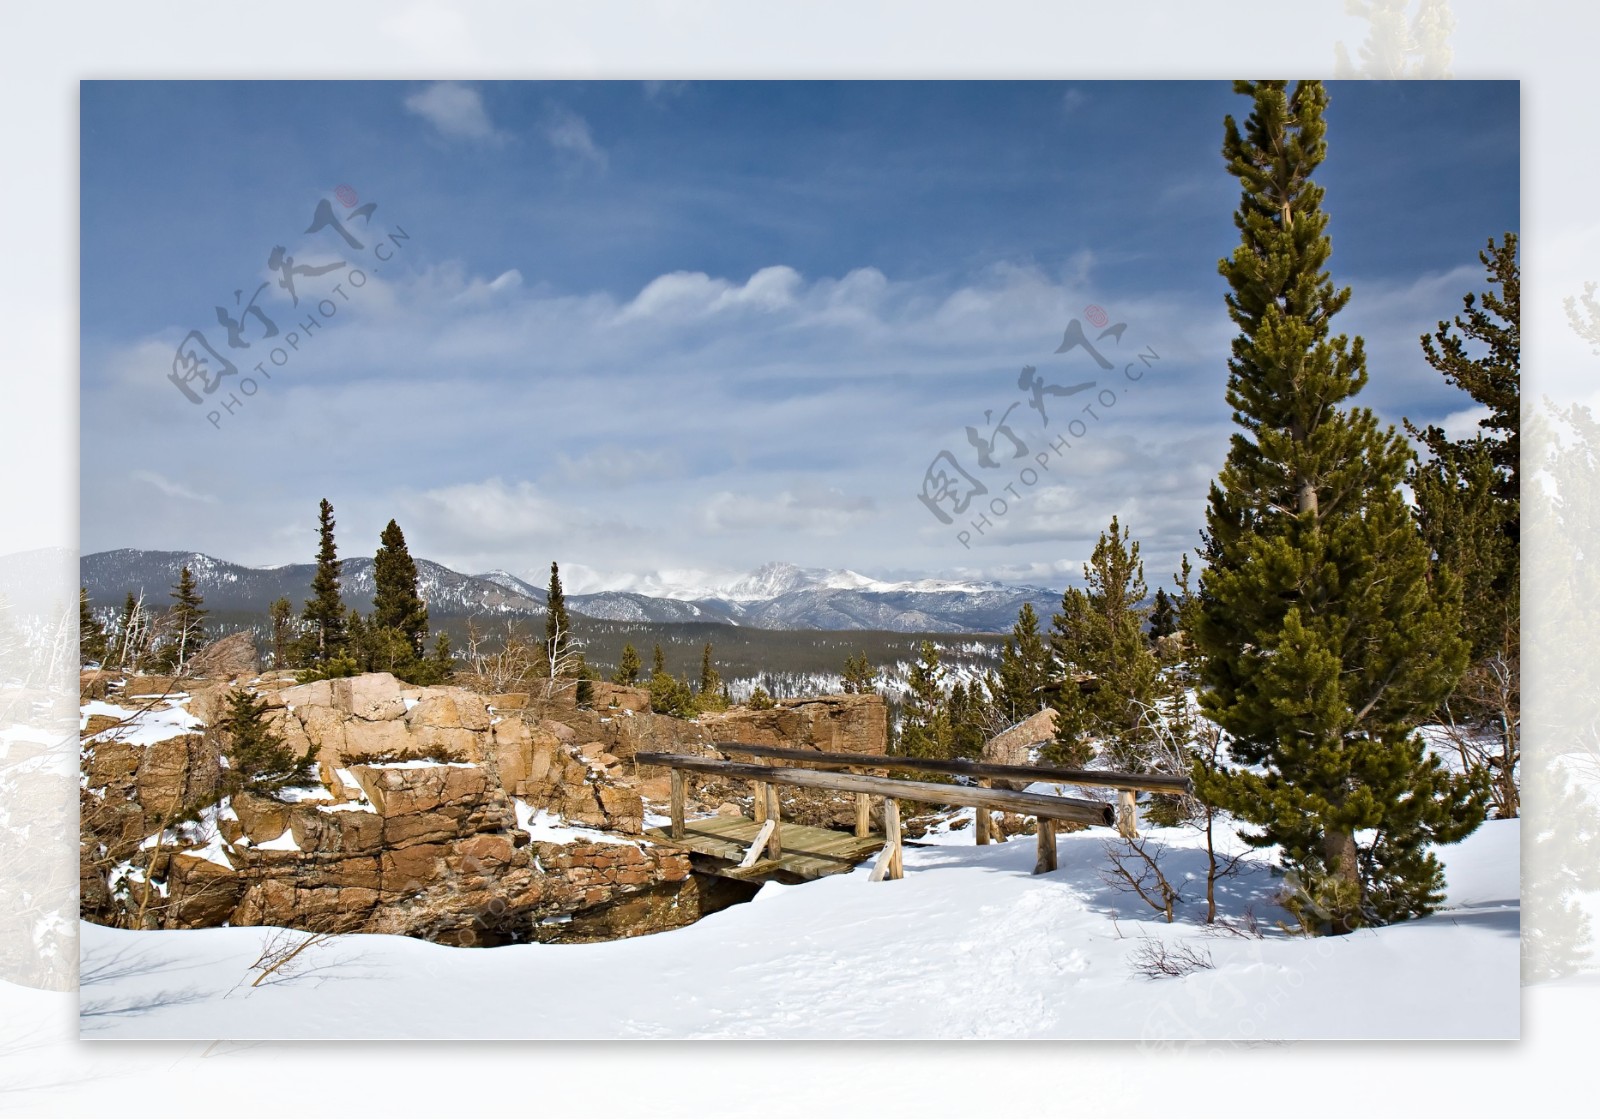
1324	642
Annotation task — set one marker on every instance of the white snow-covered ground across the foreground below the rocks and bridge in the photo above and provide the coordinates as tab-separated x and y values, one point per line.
970	945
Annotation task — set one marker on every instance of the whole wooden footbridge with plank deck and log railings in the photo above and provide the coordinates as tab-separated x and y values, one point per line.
762	847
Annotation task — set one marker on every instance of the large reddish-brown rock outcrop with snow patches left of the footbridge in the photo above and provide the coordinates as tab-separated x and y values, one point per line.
441	814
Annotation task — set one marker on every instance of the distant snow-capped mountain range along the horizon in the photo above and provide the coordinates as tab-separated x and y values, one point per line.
777	596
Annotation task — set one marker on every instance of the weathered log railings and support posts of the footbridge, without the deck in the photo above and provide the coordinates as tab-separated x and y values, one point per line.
818	772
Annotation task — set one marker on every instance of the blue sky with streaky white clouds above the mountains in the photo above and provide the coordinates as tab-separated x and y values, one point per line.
695	327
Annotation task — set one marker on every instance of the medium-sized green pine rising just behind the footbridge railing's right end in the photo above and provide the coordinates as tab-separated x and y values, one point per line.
1110	670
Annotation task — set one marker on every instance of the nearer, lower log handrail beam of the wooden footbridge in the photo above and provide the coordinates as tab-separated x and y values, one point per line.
1049	806
